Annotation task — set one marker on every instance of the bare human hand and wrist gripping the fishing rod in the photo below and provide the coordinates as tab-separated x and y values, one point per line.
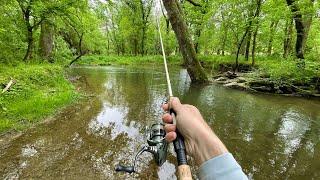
201	142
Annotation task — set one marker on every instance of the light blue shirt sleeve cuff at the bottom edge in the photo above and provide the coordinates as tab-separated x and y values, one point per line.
222	167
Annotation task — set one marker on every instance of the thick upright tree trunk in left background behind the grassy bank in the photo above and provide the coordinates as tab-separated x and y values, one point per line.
46	41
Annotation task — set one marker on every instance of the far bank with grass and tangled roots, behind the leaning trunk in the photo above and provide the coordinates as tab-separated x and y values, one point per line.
269	74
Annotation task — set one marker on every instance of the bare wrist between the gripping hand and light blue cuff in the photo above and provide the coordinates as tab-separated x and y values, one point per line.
208	145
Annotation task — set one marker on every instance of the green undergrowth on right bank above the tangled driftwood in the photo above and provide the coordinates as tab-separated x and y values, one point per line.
278	69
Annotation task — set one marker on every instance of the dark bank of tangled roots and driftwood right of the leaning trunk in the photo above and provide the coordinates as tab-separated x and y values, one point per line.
249	80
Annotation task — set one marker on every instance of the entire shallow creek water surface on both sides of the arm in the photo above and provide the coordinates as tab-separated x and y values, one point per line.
272	137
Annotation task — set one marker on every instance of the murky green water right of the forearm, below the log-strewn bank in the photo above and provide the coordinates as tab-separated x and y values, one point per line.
269	135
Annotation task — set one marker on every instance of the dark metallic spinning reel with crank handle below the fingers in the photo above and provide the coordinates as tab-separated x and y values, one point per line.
157	146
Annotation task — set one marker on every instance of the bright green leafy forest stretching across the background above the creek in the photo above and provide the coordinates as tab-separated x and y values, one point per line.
65	30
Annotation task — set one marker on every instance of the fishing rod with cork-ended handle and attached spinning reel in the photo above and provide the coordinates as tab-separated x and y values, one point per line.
156	143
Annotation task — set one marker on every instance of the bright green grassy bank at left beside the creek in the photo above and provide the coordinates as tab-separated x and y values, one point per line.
40	90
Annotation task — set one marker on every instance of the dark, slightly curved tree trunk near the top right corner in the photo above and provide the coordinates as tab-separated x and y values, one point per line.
297	16
